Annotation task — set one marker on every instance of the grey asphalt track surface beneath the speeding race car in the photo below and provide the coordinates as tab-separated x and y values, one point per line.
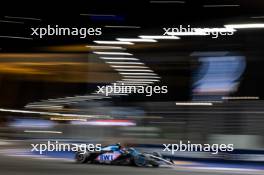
31	166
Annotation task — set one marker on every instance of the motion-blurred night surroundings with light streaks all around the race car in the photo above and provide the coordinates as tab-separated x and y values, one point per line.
215	85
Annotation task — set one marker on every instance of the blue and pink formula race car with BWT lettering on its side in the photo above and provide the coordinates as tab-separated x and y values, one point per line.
115	155
